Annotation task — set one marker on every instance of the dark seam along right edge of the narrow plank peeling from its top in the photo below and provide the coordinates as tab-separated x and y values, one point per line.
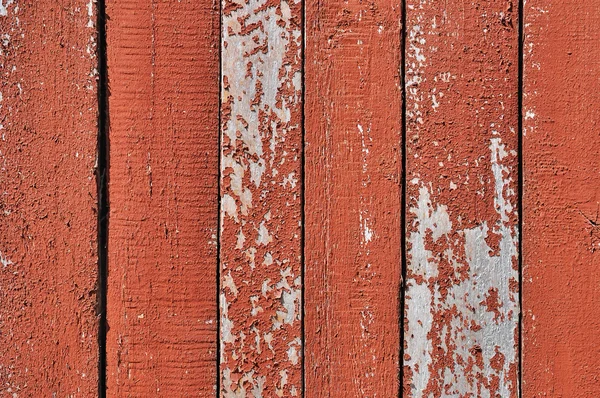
302	196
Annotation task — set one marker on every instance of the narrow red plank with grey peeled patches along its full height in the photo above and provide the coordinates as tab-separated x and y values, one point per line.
260	241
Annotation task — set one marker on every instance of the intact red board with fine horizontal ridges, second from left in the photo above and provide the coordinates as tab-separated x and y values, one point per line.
162	308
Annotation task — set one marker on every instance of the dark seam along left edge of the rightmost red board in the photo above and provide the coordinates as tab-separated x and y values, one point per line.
520	194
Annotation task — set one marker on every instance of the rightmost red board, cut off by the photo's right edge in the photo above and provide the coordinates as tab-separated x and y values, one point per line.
561	199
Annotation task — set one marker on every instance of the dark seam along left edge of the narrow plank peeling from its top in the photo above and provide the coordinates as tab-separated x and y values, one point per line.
219	148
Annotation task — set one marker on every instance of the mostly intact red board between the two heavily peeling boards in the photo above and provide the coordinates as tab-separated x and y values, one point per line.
353	198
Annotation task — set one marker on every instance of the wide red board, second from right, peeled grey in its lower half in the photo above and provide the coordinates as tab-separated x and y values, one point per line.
462	305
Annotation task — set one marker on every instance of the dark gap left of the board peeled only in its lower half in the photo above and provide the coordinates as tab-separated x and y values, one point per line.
403	200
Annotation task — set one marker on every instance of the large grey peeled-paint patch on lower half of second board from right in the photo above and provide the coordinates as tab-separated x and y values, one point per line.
459	311
